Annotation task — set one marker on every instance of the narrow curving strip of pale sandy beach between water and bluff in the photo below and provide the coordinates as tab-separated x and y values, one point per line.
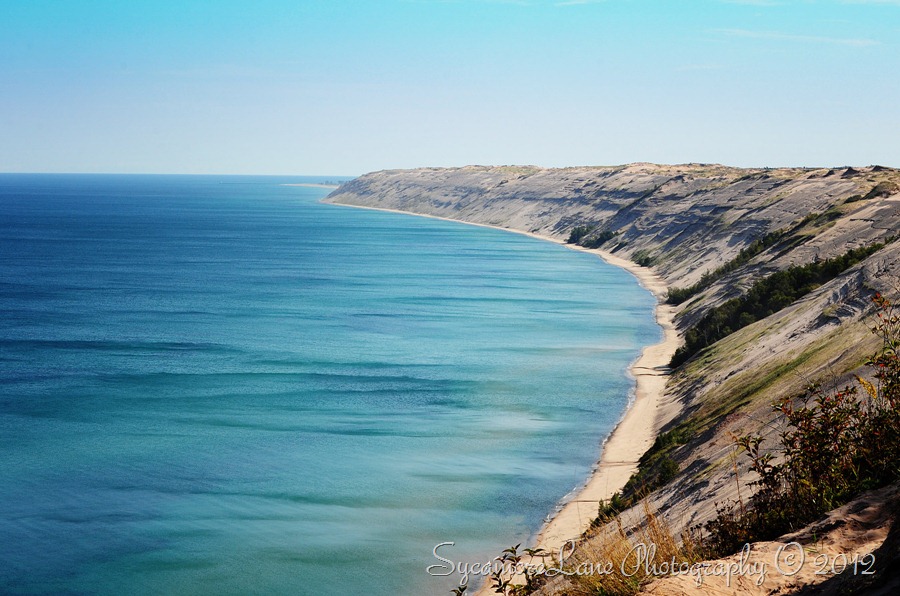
640	422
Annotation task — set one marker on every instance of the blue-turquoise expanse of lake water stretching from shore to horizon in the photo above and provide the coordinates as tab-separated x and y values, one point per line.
219	385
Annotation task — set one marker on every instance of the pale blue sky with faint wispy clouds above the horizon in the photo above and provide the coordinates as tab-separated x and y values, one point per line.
339	87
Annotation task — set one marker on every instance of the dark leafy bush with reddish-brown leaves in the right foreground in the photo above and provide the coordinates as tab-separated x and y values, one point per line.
836	444
